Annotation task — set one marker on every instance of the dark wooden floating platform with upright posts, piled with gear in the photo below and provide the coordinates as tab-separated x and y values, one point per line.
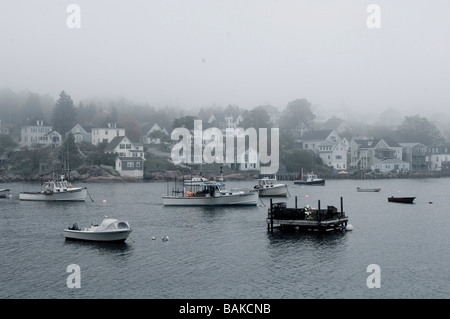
307	218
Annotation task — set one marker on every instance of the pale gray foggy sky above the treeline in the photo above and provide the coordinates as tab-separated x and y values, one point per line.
242	52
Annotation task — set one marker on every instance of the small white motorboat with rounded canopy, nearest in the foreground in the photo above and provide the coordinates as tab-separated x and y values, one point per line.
110	230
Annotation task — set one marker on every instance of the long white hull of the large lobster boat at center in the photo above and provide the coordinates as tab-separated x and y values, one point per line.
241	199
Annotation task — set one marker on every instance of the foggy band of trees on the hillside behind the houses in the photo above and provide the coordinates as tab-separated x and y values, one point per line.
294	119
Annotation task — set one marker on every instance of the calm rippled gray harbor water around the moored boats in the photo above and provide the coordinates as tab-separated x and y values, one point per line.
227	252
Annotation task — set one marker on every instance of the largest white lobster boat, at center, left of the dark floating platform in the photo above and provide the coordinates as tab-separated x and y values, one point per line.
211	194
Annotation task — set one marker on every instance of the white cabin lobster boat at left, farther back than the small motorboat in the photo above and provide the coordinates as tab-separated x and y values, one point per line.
56	190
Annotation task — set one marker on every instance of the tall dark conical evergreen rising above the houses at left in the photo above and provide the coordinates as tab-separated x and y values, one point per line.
64	114
